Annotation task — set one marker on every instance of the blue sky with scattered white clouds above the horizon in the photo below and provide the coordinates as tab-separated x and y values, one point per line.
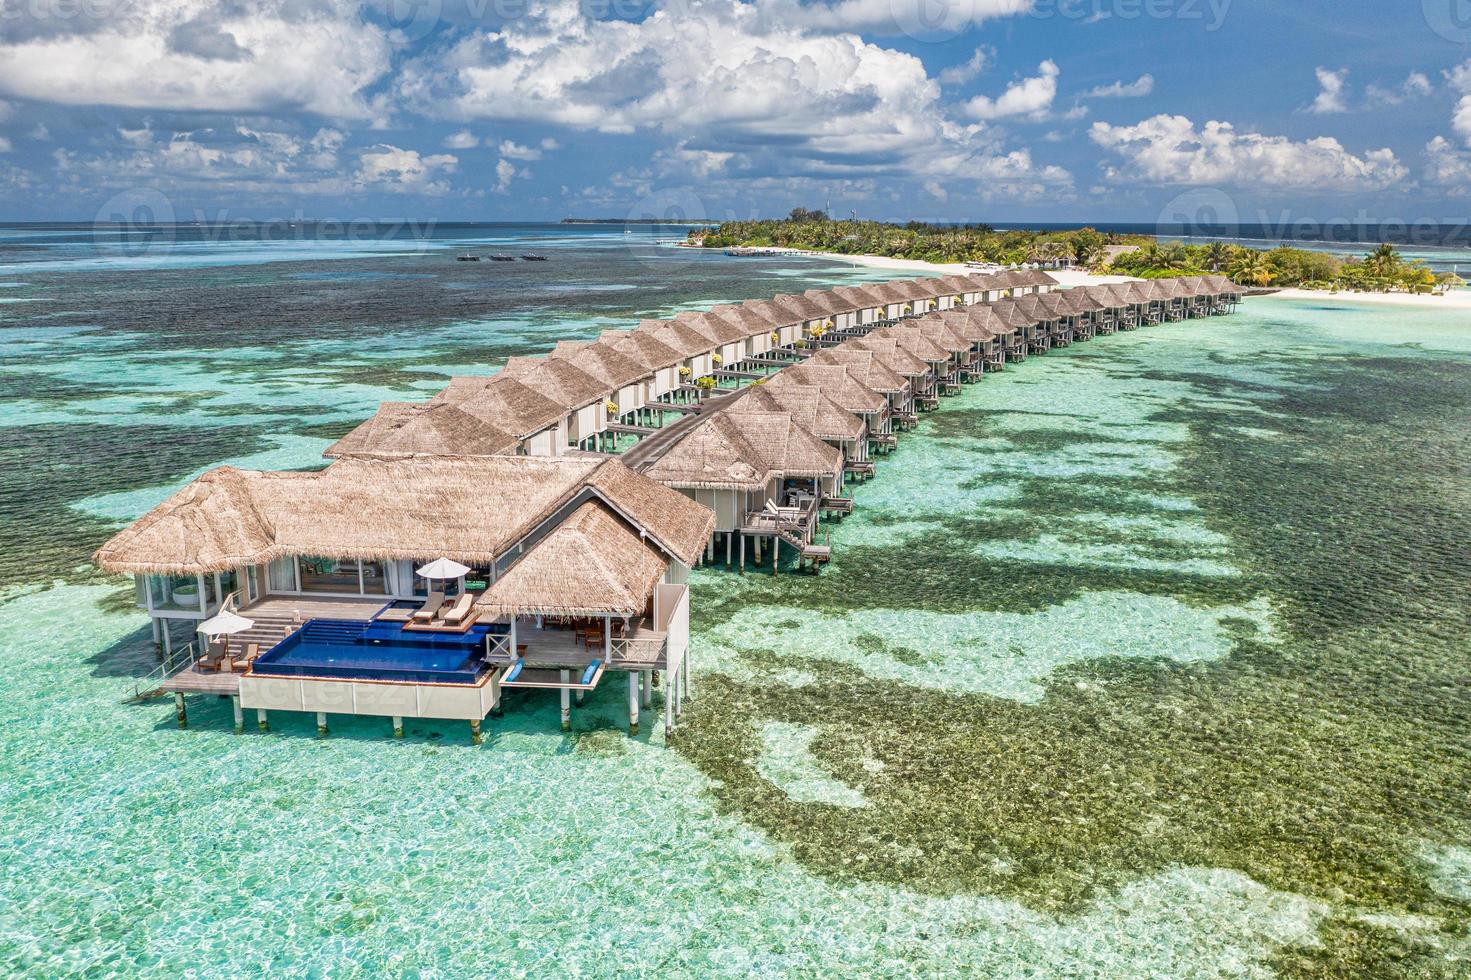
1151	111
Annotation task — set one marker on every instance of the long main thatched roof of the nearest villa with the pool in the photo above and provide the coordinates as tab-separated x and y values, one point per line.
471	511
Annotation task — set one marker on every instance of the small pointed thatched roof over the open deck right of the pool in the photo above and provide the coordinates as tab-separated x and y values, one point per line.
592	564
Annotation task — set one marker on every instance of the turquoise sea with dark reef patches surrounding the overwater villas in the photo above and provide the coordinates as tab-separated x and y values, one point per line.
1144	658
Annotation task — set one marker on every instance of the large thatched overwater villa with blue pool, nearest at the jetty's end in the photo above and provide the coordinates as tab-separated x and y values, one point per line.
418	588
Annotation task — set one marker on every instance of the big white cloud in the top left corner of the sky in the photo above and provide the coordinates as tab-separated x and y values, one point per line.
188	55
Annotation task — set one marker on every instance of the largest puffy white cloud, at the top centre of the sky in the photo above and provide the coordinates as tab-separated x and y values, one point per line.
741	79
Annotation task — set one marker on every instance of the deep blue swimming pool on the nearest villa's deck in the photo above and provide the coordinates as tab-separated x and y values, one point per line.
379	651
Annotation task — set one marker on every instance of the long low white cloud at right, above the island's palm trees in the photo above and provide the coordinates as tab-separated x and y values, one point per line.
1169	149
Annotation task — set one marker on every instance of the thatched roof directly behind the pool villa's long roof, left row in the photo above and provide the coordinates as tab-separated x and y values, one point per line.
410	429
